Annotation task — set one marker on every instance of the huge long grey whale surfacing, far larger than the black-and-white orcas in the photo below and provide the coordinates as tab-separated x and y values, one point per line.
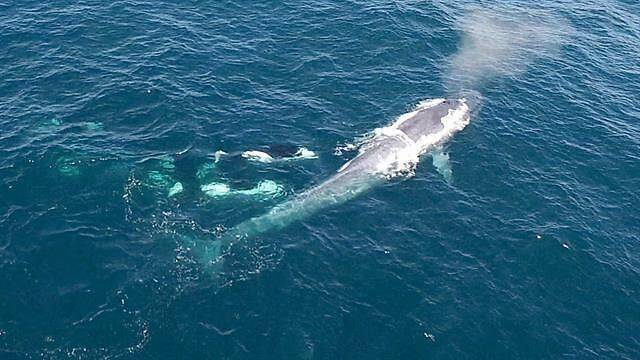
388	152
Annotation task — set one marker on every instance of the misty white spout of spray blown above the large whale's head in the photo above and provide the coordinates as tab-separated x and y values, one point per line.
502	41
